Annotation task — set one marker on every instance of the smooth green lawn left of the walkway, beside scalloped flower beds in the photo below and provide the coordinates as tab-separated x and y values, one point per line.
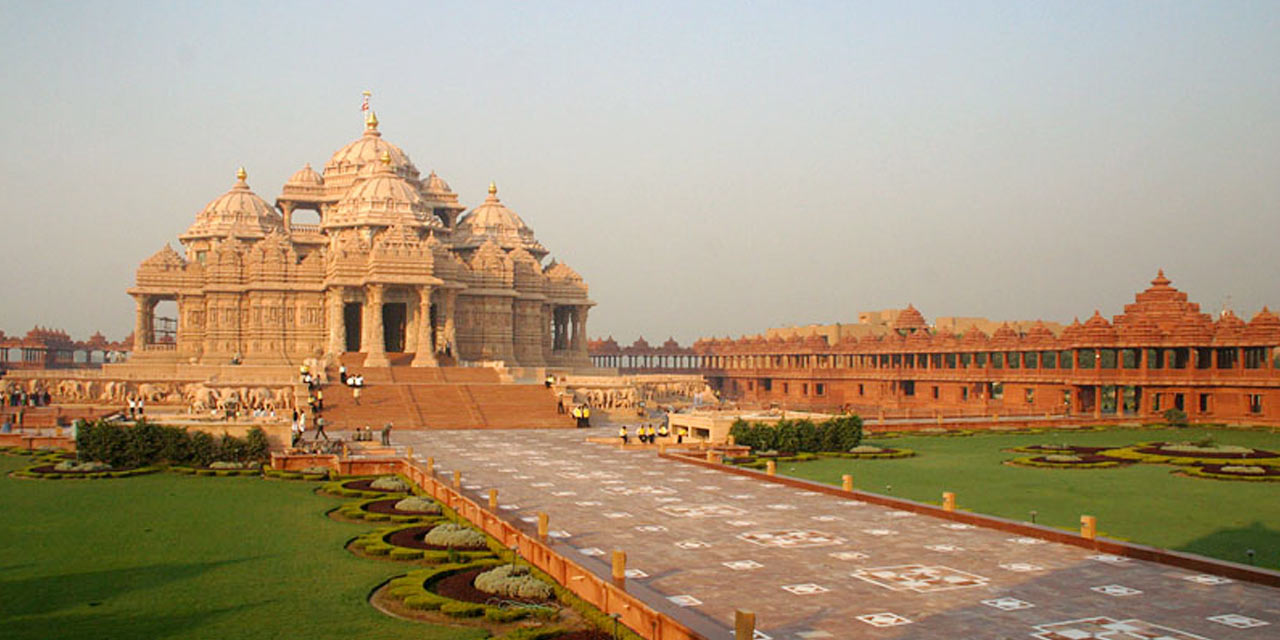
170	556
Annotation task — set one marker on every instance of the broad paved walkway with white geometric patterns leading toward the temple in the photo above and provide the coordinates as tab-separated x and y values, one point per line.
815	566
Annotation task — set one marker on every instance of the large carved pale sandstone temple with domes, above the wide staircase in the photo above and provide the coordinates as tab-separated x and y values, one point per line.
392	268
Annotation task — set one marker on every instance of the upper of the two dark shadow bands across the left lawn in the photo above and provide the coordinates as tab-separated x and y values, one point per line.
45	595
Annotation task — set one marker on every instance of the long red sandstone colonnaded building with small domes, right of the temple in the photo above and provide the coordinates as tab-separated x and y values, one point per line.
1160	354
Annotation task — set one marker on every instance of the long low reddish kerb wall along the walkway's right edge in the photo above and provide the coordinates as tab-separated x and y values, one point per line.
1187	561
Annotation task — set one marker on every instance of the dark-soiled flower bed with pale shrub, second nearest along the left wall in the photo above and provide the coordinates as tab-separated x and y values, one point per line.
415	542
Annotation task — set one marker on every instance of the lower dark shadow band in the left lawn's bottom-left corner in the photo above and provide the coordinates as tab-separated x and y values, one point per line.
115	627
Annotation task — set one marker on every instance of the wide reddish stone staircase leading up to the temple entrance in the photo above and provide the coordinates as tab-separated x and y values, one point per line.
437	399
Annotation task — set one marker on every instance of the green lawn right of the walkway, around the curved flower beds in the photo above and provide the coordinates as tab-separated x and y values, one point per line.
1144	504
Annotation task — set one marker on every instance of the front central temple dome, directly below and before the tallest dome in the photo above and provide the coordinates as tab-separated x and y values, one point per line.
383	200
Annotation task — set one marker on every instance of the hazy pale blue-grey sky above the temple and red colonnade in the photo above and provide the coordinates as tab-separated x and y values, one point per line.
708	168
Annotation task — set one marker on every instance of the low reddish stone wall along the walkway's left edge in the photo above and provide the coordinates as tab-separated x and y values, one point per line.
650	618
